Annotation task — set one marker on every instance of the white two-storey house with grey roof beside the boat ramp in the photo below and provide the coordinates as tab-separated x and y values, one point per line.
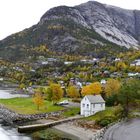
91	104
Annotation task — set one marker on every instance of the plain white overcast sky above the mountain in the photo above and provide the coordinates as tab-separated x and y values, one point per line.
16	15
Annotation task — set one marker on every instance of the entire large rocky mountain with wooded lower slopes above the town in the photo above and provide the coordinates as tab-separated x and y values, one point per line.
91	28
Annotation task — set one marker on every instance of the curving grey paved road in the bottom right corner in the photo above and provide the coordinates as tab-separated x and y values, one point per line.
124	131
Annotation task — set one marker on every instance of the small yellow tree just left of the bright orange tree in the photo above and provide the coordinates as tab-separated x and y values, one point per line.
73	92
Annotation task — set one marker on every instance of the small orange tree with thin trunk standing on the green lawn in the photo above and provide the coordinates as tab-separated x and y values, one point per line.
38	99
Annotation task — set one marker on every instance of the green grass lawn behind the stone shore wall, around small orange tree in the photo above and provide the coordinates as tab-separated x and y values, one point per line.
26	106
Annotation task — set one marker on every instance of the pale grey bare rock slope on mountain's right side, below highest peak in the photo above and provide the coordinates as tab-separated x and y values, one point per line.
117	25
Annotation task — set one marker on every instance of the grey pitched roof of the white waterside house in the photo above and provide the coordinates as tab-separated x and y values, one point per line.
95	98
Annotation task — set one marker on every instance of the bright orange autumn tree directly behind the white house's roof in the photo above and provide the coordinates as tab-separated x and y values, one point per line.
94	88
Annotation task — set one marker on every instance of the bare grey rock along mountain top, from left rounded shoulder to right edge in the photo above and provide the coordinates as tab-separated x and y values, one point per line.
117	25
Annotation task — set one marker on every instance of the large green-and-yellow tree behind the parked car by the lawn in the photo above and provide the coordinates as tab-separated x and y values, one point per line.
54	93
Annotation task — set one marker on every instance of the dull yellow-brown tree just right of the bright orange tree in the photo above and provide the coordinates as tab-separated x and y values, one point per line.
112	87
